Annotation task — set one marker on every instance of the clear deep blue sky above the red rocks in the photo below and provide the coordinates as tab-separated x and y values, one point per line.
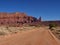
47	9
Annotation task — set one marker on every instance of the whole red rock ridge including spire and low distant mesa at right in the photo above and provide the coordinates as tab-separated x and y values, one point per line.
18	19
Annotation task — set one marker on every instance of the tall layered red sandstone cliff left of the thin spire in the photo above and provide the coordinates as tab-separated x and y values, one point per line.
16	19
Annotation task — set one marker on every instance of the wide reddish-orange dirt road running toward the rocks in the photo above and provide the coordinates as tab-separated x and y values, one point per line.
38	36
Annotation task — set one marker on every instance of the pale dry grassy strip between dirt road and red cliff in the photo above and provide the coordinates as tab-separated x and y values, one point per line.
4	30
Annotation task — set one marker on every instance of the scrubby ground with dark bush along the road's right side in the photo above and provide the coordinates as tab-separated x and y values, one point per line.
55	30
